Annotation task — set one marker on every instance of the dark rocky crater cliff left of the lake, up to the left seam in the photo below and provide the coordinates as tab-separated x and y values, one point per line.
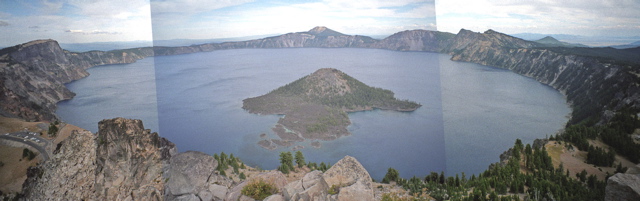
33	74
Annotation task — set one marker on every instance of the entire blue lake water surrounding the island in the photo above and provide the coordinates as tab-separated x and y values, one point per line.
470	113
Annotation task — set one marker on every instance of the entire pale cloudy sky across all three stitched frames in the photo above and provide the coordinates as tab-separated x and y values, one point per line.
77	21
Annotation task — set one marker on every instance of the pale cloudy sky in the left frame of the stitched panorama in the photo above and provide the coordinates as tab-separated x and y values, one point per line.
100	20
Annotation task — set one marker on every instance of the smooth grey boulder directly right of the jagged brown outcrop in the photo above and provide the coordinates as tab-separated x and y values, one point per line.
189	174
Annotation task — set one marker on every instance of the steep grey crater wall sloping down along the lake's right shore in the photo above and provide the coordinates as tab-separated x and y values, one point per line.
592	85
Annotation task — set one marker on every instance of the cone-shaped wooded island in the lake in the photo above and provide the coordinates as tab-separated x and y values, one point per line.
315	107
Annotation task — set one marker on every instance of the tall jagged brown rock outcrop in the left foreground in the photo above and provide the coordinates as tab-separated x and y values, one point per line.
122	162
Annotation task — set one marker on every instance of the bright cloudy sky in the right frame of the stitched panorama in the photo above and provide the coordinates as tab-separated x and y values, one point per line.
586	17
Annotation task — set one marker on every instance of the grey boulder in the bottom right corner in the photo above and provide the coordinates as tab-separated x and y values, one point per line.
623	187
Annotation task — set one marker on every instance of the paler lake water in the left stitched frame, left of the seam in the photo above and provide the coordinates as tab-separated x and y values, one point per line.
113	91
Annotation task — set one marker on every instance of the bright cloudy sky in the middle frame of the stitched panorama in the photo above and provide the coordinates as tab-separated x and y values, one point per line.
236	18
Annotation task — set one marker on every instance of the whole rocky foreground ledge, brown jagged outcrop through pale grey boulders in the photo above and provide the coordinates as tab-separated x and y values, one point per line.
124	161
